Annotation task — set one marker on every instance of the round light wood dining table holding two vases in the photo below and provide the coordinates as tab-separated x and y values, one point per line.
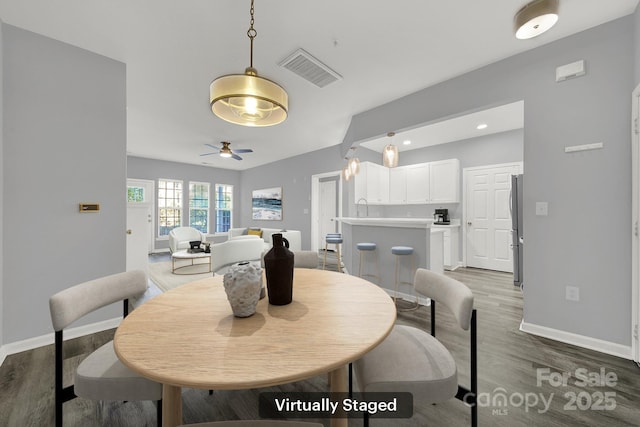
189	337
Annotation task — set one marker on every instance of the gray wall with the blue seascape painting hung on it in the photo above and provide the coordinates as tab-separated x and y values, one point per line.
294	176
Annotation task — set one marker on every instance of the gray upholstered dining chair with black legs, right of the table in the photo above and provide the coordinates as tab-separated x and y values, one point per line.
412	360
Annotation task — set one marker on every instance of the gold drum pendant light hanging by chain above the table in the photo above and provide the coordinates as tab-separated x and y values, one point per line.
247	99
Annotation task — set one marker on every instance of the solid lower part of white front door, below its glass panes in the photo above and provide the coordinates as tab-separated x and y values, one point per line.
137	237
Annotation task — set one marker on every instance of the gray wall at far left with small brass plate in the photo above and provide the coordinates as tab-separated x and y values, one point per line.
64	143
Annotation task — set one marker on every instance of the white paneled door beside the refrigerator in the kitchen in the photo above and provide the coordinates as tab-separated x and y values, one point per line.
488	218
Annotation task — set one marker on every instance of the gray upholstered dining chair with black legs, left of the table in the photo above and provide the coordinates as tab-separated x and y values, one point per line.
101	375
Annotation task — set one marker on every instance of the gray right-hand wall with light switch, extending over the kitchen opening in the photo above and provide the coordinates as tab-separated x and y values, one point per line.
570	246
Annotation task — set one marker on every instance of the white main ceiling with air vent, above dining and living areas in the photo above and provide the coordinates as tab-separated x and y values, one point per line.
383	50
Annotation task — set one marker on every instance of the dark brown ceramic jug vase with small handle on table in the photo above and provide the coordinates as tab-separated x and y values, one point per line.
278	264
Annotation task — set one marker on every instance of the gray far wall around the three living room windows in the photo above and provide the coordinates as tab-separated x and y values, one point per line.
140	168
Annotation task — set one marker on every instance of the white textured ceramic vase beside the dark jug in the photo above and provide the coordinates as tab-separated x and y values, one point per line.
242	284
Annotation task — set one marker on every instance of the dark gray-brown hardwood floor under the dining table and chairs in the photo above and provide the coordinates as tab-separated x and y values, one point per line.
510	362
